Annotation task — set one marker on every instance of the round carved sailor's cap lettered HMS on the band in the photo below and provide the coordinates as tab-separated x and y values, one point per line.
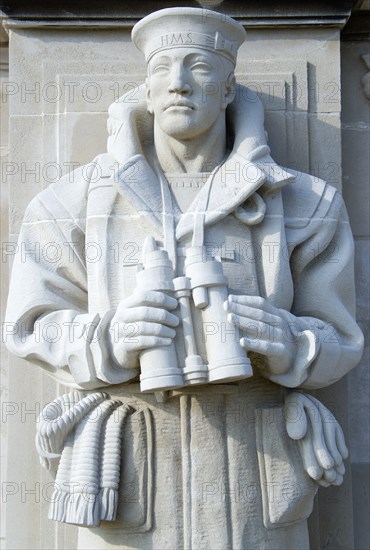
188	27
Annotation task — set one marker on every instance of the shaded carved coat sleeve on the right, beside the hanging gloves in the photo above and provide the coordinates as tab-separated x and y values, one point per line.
329	341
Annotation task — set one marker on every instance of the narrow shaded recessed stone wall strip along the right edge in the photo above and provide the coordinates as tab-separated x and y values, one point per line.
355	76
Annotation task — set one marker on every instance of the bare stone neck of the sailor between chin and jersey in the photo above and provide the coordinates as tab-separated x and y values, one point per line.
198	154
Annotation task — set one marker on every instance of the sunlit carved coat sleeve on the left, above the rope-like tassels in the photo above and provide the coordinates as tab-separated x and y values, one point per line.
47	319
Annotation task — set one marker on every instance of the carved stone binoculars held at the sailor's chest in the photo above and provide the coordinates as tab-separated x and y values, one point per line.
204	287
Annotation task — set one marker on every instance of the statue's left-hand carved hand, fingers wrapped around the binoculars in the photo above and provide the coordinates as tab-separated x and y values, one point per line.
142	321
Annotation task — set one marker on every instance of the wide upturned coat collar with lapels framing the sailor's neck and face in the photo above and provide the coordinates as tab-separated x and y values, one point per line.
248	167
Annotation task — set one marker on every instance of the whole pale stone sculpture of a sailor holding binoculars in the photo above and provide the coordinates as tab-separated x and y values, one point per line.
191	346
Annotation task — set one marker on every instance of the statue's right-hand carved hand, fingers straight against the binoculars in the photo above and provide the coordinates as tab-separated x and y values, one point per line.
263	330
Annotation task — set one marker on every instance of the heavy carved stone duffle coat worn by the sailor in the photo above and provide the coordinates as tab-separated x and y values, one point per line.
227	475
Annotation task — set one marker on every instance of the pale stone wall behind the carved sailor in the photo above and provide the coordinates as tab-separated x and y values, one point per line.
64	73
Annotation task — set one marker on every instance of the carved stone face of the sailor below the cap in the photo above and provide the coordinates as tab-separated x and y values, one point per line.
188	89
